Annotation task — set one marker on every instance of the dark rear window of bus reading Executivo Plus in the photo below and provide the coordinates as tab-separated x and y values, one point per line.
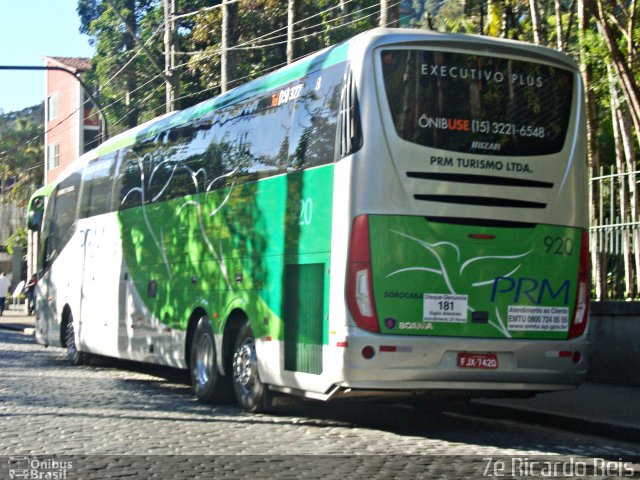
477	104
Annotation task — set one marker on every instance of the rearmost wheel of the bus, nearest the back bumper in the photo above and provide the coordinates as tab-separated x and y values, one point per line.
252	395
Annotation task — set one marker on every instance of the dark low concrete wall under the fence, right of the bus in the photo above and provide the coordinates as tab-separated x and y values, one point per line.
614	350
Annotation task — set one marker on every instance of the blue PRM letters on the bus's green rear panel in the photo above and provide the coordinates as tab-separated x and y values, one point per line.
530	290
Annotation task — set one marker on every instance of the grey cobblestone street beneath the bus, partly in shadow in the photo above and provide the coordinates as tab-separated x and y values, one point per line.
116	408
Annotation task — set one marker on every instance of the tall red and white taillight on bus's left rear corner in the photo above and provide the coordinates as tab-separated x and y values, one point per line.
359	280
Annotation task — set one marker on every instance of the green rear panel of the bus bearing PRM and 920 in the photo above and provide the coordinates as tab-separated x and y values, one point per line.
444	279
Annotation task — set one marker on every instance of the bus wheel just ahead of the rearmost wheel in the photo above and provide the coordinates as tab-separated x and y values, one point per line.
205	377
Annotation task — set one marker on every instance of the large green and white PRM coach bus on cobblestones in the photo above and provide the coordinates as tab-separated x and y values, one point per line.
403	212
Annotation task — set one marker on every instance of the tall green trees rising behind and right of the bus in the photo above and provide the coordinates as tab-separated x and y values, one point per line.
215	55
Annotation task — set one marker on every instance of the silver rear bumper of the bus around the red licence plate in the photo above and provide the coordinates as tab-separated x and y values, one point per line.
409	363
